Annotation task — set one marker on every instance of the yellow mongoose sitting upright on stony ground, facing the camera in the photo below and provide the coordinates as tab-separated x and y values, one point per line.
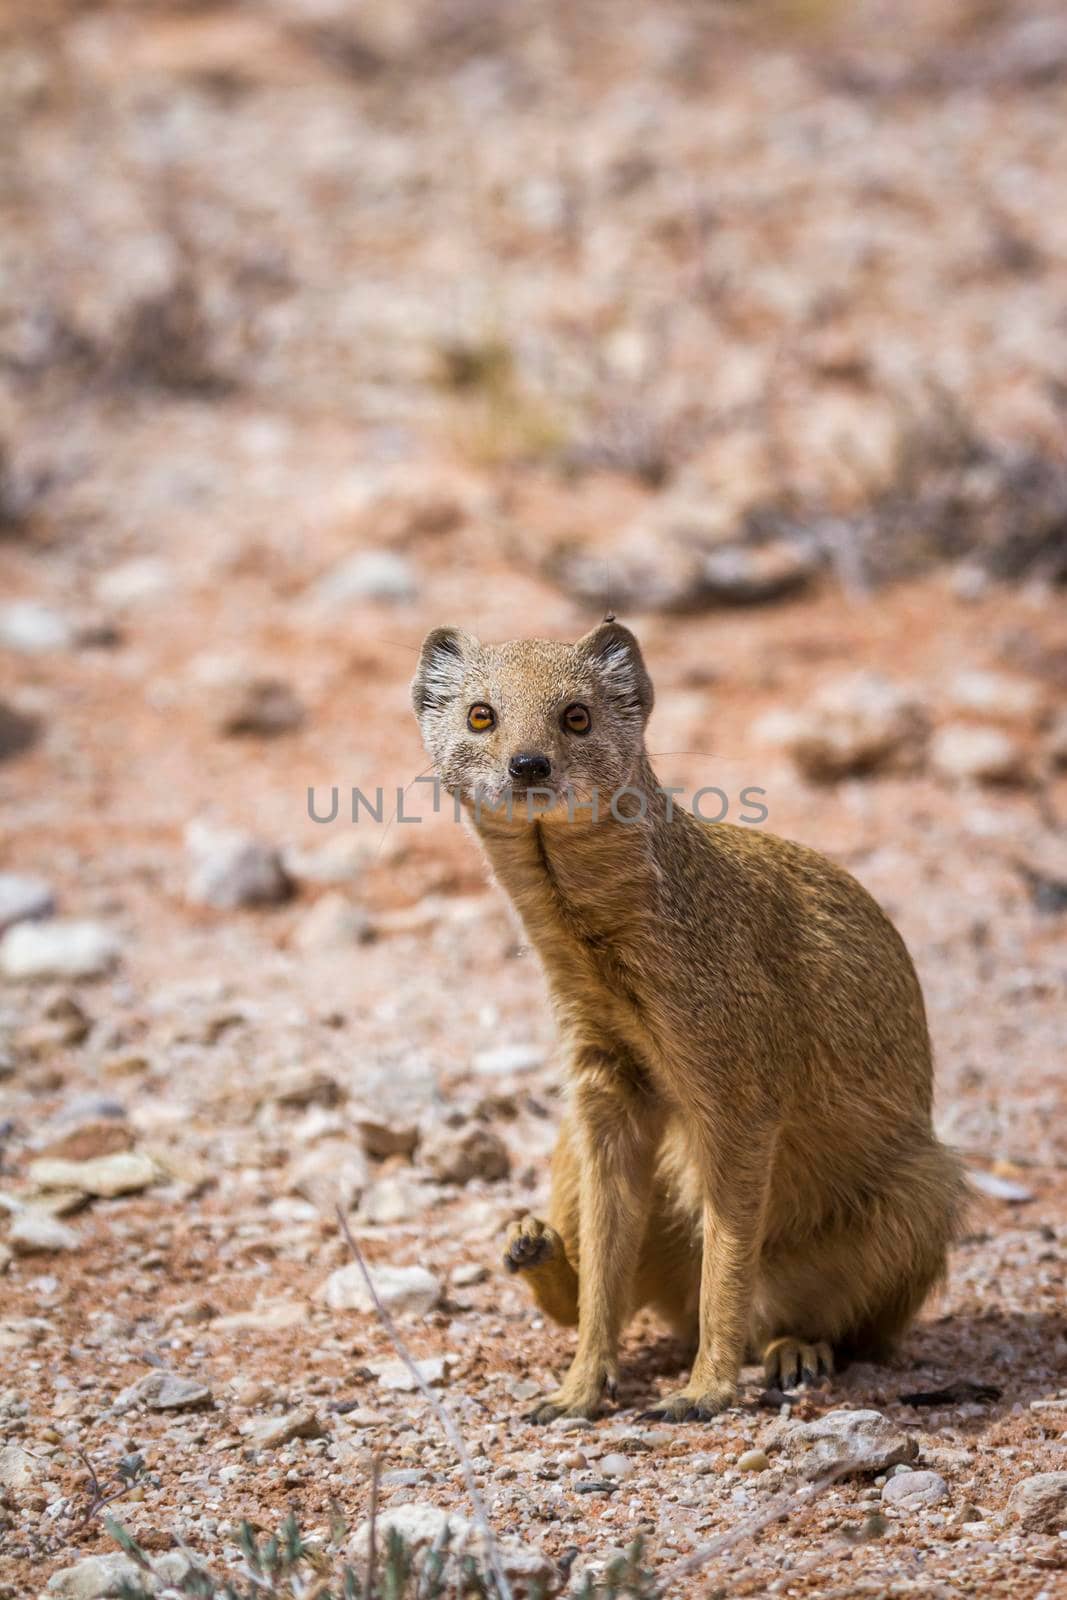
749	1143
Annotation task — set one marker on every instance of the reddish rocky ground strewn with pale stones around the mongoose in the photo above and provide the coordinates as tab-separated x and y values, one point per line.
313	337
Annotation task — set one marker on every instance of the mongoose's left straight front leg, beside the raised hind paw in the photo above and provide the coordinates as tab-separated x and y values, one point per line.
617	1134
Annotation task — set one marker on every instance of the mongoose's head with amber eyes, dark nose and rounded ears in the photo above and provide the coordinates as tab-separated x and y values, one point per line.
533	714
